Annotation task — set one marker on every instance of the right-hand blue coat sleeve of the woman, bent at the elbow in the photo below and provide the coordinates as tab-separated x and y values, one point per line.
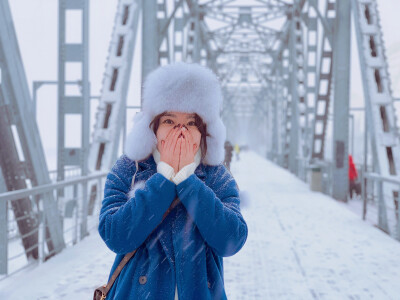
215	210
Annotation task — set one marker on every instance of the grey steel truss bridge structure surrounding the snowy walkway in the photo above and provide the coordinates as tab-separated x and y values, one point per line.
284	66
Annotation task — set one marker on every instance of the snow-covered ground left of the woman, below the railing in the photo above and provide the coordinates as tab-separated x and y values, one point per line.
73	274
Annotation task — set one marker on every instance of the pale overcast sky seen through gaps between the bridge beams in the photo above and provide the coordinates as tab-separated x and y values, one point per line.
36	26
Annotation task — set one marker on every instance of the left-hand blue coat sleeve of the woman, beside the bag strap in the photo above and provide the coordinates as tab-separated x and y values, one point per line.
124	224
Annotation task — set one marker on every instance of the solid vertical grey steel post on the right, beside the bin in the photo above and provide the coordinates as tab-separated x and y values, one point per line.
340	184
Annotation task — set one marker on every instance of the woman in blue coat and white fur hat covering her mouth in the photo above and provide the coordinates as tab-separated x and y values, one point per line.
178	140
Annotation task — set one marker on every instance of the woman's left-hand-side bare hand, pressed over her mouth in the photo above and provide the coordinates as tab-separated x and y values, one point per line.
170	149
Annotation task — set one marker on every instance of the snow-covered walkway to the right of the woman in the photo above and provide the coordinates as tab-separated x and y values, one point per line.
305	245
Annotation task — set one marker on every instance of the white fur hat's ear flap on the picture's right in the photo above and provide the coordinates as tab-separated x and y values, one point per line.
215	143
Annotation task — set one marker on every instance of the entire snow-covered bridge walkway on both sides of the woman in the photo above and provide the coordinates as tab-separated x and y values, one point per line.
301	245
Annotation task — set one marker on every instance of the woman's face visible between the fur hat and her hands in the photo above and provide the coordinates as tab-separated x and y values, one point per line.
170	120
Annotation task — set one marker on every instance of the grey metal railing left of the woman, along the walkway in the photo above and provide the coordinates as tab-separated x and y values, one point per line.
78	213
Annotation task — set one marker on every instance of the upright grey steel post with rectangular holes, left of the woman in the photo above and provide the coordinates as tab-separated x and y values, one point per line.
71	52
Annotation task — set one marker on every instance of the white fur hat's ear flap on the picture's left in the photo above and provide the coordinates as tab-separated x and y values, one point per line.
141	139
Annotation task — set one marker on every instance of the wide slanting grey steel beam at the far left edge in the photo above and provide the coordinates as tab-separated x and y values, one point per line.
18	128
